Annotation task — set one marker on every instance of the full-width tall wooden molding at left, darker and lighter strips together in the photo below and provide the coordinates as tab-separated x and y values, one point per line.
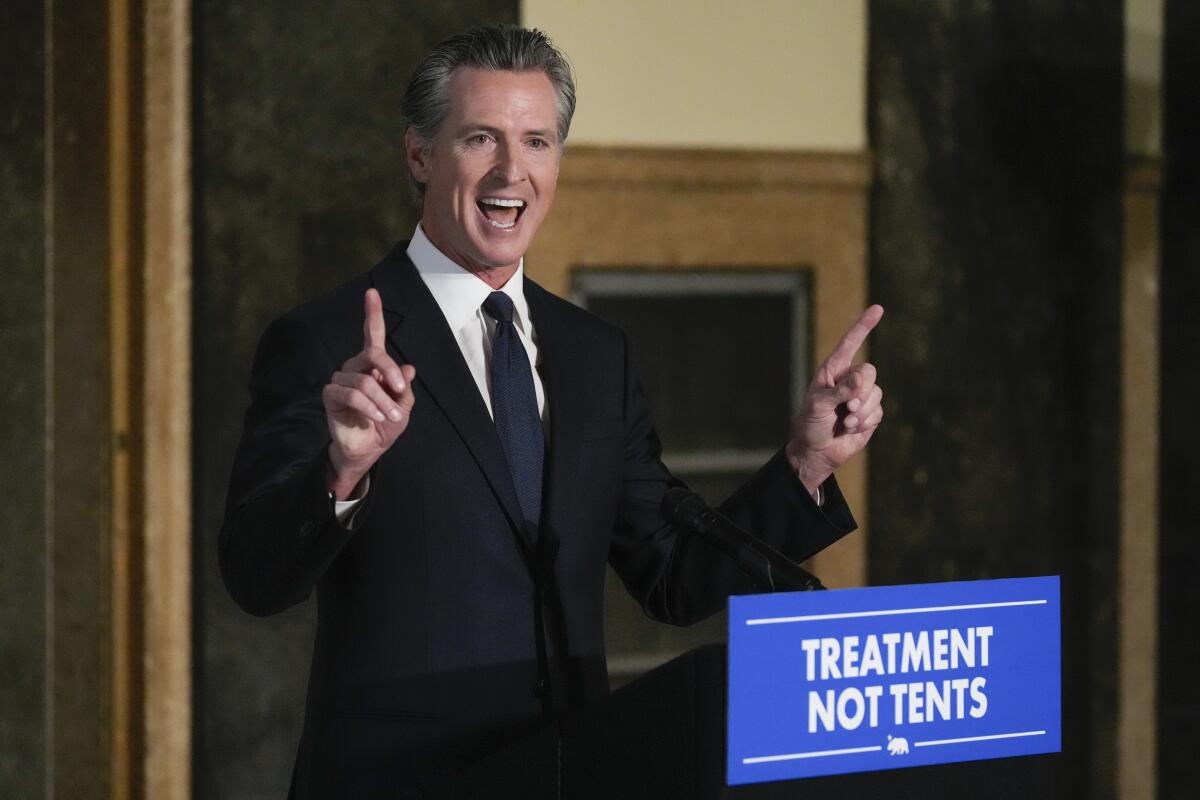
151	328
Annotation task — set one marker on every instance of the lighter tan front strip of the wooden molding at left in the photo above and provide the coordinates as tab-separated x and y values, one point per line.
167	482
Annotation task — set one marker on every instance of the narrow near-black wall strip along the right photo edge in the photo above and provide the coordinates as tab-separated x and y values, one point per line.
1179	737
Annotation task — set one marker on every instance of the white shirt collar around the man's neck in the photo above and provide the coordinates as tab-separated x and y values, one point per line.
459	293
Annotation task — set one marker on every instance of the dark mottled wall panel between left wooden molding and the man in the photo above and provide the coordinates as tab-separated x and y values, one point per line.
301	184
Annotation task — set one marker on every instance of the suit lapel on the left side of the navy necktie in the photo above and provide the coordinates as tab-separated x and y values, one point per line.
421	334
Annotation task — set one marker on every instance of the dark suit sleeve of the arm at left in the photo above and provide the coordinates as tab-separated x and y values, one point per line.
280	533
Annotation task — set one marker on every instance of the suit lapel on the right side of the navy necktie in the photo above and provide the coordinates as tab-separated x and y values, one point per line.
559	365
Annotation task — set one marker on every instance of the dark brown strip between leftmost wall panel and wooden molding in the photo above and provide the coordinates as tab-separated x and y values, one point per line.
81	436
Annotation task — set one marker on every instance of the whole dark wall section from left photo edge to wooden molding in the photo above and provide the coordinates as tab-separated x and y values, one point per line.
56	446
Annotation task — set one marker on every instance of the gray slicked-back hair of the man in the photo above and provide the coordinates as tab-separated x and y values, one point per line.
488	47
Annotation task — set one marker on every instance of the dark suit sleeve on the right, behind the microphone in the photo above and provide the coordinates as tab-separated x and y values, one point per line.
682	581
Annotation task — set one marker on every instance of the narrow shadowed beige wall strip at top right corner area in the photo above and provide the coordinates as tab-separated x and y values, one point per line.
1144	77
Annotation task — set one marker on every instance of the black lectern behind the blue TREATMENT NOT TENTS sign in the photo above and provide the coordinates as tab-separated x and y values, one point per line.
663	737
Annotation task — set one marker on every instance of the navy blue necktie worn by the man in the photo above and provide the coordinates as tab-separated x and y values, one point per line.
515	408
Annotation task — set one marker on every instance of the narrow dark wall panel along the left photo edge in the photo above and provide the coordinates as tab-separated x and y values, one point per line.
22	401
